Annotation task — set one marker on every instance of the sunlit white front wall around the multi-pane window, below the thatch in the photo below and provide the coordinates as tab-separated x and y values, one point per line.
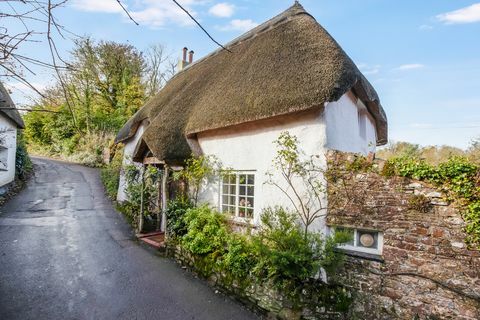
251	147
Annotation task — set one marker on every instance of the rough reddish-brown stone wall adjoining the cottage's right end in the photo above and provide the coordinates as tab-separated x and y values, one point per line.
425	271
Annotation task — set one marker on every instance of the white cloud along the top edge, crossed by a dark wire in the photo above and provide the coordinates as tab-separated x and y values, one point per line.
152	13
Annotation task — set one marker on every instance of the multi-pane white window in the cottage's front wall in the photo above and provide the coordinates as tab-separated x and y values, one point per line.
237	194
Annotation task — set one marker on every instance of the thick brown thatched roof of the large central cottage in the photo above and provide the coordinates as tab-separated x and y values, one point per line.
288	64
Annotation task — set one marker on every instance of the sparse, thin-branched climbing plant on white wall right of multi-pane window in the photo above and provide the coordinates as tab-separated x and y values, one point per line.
305	184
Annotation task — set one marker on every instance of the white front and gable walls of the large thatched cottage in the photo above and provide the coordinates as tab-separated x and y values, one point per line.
250	147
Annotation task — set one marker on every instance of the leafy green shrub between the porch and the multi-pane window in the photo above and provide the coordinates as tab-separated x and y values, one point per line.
197	172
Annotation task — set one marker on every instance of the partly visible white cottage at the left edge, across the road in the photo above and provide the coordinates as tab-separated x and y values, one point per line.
10	122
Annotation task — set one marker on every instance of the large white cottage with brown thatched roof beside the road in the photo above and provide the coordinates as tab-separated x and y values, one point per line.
287	74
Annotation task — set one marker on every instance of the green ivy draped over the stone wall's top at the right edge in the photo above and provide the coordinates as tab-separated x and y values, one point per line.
459	177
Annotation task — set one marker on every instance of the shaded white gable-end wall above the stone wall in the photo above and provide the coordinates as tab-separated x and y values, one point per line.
343	131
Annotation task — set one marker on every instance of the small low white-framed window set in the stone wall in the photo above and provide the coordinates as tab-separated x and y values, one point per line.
368	241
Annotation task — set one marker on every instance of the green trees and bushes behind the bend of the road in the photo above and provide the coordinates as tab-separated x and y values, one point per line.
107	83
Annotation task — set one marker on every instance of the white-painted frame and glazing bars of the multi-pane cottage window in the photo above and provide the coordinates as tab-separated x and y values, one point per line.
237	206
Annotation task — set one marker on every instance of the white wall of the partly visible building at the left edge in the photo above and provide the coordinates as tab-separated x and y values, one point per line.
9	135
